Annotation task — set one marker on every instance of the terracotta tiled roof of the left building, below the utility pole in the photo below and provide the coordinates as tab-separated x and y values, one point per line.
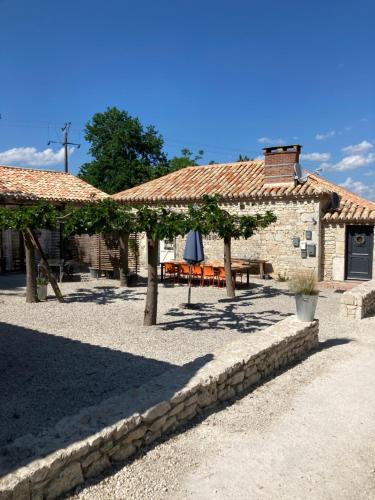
25	184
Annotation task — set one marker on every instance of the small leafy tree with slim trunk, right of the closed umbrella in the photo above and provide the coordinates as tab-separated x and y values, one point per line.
209	217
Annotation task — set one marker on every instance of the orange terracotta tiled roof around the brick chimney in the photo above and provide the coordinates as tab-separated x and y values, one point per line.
242	180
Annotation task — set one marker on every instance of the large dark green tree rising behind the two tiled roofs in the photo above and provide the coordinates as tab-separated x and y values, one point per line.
125	153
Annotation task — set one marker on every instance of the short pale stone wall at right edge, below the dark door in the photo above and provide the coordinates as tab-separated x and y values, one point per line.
359	302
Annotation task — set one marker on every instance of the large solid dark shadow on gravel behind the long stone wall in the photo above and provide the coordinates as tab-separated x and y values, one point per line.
45	378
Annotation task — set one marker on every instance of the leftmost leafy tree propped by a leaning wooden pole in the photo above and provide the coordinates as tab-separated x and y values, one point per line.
28	220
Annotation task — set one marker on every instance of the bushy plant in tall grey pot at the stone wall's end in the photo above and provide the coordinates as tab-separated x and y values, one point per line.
303	285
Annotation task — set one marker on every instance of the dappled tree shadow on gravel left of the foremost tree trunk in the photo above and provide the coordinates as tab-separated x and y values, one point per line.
103	295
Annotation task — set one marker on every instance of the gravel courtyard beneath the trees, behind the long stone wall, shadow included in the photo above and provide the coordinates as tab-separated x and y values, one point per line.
56	359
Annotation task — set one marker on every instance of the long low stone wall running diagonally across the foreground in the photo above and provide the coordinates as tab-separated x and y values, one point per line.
153	410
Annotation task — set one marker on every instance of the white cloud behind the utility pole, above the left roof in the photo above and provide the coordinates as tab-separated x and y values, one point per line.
31	157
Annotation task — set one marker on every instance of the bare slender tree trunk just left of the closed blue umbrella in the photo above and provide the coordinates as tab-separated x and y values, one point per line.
152	285
